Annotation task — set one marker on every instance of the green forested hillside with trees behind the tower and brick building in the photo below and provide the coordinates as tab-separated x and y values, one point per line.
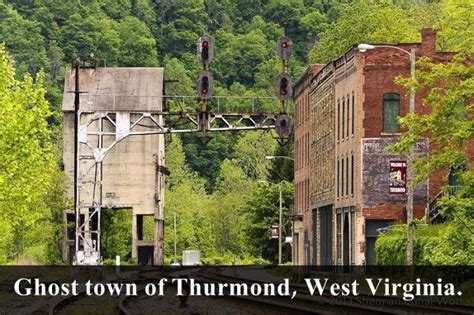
217	190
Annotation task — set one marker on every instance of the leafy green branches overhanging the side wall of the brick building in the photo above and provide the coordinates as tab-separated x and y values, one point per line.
449	123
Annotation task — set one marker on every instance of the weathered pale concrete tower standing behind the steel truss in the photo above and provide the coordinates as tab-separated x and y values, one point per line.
130	177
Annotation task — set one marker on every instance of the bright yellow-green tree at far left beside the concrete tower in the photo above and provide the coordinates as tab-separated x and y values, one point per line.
27	166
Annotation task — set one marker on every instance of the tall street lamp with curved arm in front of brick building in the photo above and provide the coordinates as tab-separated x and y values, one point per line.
410	188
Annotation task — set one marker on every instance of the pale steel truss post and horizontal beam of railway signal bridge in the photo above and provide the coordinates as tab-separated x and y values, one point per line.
100	131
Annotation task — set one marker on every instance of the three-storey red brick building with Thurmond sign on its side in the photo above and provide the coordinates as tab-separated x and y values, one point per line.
346	115
